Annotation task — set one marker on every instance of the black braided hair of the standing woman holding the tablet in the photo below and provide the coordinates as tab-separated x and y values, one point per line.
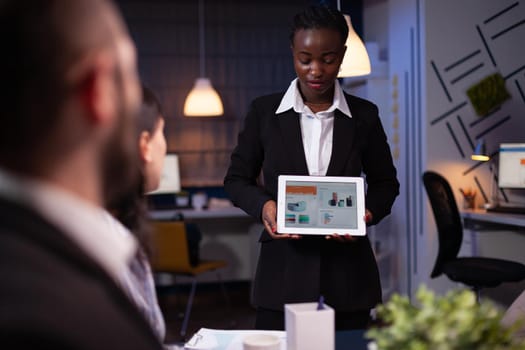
317	17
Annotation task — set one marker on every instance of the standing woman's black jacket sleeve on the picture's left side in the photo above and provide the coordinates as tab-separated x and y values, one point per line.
246	161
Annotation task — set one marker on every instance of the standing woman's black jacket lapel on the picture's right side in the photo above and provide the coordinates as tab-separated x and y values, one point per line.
343	139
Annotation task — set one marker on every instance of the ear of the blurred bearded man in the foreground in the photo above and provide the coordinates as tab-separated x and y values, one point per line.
97	89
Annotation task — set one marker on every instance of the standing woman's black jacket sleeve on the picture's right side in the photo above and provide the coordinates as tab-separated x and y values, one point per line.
378	166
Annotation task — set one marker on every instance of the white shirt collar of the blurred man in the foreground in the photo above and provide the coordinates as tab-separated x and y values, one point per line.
84	223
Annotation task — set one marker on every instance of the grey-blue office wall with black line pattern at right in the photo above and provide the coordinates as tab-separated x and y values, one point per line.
437	50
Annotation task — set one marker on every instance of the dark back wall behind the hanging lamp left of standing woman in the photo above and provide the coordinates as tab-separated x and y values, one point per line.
247	54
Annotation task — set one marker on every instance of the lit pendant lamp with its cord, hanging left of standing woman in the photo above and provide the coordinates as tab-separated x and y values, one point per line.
203	100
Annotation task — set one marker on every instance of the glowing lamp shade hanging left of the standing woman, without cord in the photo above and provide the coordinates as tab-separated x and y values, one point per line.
203	100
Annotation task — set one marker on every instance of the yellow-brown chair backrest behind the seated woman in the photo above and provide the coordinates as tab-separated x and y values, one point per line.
170	247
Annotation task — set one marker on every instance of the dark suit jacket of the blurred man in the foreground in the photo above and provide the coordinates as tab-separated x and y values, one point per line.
52	295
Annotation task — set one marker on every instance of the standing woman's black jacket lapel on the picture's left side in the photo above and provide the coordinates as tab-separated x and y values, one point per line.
293	141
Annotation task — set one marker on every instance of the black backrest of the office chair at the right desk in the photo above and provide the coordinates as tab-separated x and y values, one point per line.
448	220
